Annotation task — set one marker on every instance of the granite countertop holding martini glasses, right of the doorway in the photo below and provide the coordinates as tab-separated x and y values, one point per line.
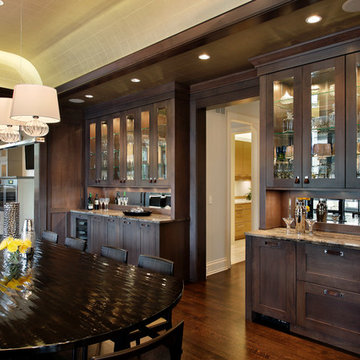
319	237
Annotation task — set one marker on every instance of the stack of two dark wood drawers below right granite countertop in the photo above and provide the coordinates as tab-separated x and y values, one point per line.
328	295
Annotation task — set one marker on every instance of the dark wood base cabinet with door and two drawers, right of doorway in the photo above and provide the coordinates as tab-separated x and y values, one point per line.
313	287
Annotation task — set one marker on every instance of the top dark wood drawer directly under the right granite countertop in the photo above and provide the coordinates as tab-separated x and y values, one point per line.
329	265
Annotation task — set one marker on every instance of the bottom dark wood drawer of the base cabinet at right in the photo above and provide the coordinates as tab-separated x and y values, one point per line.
329	314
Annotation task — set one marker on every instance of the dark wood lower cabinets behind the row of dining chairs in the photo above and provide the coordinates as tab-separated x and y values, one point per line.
166	239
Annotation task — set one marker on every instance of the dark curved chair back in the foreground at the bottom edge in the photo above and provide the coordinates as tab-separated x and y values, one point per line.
165	347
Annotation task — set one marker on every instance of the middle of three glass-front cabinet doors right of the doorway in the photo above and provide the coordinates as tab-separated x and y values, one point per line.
324	124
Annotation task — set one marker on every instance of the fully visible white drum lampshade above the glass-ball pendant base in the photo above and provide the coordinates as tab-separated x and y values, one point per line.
35	102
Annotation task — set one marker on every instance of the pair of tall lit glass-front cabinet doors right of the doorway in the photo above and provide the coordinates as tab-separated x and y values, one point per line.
305	123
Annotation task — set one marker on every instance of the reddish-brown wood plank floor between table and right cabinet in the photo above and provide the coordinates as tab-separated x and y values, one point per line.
215	326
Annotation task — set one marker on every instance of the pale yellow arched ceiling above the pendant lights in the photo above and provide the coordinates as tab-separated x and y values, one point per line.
69	38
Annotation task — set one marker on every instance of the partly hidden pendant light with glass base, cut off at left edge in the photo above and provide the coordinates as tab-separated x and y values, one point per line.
9	129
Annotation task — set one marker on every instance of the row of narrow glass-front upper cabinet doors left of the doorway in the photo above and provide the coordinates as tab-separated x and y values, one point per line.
130	148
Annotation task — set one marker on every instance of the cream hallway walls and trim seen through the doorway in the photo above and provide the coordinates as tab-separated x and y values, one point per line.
222	123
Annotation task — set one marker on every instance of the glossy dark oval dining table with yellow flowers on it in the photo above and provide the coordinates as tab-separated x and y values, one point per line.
67	298
